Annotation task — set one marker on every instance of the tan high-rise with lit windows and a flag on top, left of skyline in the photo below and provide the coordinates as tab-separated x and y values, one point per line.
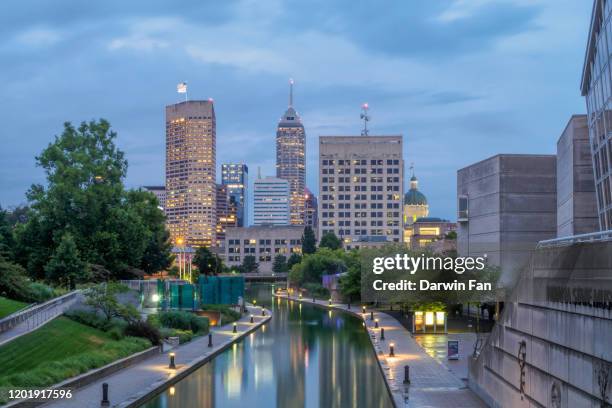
190	173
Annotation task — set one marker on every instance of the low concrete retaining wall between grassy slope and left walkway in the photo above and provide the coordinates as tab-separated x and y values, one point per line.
90	376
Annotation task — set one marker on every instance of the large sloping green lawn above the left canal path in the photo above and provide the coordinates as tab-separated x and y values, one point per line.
58	350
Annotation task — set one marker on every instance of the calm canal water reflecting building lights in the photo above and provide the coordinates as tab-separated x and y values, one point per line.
304	356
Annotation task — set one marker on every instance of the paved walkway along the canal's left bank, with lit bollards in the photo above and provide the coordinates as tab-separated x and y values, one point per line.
134	384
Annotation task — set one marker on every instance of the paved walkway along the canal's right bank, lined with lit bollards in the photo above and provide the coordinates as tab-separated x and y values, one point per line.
431	383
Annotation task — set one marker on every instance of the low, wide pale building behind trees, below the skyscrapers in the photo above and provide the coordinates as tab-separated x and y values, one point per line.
263	242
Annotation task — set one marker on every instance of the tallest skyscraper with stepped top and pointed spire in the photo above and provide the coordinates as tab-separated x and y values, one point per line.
290	158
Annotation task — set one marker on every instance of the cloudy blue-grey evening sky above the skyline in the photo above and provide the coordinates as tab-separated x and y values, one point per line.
461	79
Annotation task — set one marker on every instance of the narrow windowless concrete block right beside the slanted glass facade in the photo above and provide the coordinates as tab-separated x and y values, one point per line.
576	203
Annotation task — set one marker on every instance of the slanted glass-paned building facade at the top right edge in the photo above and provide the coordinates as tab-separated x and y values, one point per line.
597	88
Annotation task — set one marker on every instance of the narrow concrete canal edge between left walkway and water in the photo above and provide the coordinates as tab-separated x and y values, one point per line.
158	387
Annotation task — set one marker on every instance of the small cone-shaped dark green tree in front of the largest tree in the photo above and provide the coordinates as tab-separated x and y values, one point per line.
65	265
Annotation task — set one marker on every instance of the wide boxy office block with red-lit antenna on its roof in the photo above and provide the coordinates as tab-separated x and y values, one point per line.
361	189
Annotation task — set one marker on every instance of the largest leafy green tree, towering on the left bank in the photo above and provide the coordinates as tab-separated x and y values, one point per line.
84	195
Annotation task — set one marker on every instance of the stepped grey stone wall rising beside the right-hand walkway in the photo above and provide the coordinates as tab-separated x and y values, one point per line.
548	350
